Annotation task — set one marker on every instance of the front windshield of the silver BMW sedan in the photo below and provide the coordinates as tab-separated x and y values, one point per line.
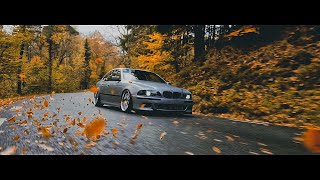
141	75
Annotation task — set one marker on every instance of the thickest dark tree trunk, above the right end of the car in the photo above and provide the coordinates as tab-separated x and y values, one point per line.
199	45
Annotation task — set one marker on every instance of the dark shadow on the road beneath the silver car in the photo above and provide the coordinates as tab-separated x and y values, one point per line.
152	114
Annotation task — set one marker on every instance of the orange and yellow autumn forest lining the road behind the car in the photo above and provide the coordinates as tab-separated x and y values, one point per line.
256	72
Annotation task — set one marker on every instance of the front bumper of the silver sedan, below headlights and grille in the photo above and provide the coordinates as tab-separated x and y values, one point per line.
162	104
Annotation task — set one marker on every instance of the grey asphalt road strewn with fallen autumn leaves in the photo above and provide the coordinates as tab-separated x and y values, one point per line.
181	135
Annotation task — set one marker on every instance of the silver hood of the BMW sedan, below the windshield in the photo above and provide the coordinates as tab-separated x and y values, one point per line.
149	85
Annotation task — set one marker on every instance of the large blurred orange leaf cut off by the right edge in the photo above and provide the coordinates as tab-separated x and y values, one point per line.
311	139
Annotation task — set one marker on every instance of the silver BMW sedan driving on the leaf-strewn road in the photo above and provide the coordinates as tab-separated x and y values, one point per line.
133	89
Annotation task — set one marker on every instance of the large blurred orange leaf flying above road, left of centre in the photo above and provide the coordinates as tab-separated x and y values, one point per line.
94	128
